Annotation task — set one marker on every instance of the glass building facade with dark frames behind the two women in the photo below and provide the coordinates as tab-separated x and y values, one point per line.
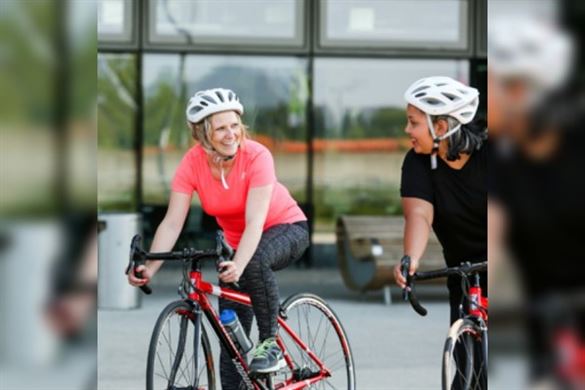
322	84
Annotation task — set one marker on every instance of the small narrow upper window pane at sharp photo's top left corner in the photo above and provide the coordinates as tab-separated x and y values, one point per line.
114	20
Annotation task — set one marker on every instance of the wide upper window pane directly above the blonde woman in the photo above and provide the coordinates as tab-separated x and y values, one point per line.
257	21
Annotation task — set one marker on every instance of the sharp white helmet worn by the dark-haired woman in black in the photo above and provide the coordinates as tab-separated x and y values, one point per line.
440	95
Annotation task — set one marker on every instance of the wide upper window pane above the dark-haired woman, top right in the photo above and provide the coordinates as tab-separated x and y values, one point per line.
397	23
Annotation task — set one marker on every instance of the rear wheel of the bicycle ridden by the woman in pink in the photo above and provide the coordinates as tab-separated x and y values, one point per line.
315	323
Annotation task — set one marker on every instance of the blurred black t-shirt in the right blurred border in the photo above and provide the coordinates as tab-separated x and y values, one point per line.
544	203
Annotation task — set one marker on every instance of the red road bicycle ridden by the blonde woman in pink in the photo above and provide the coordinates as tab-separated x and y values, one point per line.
180	357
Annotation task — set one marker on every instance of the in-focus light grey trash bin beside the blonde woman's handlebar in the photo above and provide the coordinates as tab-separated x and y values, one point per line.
116	232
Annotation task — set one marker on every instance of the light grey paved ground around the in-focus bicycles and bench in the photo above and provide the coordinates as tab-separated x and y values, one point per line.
393	347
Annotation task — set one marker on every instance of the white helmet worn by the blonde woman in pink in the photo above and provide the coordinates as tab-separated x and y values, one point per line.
211	101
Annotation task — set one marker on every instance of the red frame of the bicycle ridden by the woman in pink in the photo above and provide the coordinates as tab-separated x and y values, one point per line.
198	295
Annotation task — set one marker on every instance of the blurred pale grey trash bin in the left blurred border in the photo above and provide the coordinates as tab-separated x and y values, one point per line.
26	261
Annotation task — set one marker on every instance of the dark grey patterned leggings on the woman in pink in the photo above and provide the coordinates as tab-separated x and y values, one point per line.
279	247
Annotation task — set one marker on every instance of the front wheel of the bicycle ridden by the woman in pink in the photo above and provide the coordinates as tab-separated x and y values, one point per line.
171	362
